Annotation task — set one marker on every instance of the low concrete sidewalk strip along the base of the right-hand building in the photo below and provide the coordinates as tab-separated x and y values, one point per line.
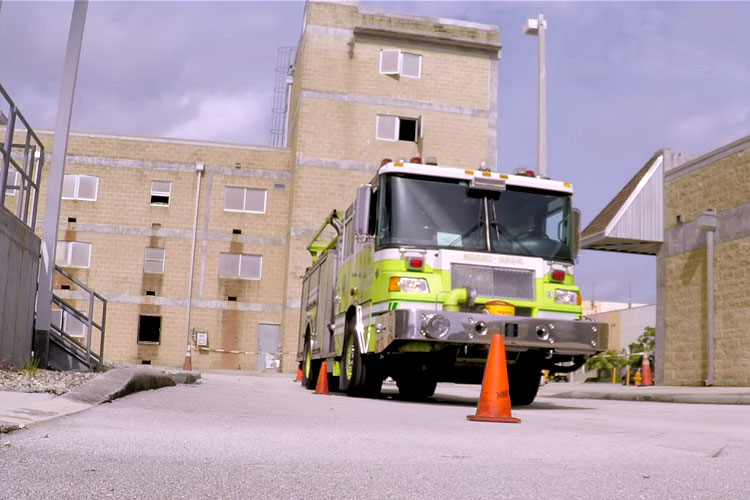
662	394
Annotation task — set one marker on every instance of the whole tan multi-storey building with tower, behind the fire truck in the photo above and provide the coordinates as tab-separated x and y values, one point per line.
366	85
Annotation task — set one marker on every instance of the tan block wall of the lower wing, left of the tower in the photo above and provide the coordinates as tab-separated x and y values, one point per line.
122	223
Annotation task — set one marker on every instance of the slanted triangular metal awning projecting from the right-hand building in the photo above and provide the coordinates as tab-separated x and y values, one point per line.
633	222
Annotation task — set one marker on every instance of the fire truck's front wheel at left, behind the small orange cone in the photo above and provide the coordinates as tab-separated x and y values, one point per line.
359	374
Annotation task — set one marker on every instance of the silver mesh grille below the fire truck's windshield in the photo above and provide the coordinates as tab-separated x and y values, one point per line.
501	283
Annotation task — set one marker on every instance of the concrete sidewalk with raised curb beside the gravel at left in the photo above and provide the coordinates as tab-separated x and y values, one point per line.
18	409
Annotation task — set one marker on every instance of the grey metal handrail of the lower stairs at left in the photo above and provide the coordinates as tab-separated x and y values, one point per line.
86	319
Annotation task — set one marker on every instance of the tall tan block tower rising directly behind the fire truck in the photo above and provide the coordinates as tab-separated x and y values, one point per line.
370	84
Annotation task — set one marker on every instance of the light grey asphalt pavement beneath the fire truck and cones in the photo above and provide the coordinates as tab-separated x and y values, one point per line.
246	435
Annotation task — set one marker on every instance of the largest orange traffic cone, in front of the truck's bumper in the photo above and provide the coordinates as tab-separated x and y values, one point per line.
494	400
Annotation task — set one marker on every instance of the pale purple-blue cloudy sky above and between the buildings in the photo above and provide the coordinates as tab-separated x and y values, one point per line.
624	79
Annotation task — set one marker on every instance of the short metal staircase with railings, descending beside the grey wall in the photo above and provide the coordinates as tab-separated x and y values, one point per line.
76	339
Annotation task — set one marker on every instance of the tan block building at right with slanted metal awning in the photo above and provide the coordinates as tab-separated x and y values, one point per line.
670	209
